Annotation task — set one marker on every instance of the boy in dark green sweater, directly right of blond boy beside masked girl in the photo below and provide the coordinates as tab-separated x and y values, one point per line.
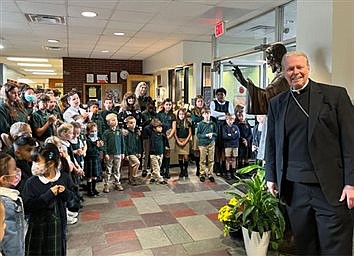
133	150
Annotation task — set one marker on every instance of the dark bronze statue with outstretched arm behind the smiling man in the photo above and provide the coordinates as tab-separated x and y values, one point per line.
258	98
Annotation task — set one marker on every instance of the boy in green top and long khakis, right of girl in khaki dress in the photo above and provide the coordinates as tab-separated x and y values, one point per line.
207	134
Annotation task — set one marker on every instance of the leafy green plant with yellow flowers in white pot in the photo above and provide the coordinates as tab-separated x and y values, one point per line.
256	211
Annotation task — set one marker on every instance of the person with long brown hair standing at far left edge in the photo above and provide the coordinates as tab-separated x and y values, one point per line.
11	110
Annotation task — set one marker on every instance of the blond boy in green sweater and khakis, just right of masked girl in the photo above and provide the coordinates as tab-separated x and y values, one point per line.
113	151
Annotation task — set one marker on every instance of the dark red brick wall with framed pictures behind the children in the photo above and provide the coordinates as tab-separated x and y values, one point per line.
75	70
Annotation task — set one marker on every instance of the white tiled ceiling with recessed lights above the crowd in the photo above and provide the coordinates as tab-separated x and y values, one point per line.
150	26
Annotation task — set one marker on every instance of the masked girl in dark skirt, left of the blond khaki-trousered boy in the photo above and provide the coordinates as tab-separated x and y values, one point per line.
92	158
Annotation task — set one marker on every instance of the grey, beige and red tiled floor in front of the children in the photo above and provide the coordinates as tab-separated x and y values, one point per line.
152	220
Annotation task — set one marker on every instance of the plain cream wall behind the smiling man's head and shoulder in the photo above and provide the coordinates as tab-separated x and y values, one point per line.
325	32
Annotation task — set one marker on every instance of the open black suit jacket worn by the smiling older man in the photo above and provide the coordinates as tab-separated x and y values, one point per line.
330	139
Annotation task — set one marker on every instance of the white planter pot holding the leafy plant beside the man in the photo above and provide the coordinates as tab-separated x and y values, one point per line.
256	246
